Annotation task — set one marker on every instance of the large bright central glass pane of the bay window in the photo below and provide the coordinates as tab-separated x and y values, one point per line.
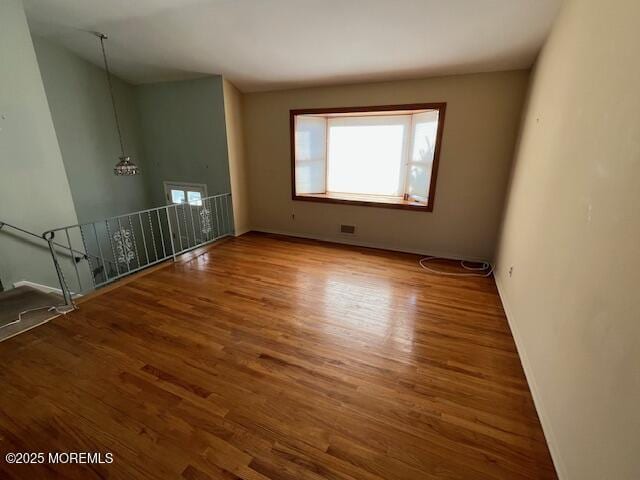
366	155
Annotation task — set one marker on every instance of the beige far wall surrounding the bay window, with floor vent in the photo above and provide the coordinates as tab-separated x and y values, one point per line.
483	117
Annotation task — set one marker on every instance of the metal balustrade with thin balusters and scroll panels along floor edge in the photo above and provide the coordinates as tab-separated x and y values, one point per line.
128	243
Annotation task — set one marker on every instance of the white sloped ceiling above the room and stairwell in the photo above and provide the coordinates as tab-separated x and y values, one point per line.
272	44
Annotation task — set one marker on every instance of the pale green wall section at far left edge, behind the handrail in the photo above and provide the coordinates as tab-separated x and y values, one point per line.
34	191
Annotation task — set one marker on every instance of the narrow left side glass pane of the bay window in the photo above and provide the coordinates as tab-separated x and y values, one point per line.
310	154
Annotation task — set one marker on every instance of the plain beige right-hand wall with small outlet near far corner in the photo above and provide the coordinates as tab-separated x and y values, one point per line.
572	235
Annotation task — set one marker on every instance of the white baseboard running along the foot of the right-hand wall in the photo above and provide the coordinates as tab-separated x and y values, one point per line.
533	387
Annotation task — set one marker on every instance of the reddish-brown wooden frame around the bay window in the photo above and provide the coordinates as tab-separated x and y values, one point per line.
393	202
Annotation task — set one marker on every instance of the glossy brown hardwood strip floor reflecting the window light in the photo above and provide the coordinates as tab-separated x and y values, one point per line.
274	358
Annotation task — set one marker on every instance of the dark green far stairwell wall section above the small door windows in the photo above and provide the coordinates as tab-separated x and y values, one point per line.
183	135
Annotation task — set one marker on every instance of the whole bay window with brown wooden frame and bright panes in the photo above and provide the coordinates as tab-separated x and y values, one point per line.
382	156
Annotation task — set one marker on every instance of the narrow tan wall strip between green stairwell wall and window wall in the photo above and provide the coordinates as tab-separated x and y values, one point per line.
237	163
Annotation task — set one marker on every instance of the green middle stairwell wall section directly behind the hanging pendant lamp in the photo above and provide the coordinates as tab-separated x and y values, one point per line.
78	96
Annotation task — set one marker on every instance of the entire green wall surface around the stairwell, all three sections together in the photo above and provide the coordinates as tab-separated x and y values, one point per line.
58	143
